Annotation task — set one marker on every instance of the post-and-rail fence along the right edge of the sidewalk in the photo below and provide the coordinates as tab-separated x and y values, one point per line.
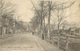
63	41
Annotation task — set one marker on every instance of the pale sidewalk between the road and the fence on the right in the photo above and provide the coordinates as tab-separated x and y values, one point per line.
45	45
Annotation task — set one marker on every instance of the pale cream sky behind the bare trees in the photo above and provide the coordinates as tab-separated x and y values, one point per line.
25	12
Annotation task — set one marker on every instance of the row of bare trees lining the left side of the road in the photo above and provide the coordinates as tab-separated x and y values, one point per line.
8	23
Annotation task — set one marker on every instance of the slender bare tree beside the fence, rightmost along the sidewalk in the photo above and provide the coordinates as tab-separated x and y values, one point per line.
60	13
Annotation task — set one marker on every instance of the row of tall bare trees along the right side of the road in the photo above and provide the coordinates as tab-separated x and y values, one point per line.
44	10
